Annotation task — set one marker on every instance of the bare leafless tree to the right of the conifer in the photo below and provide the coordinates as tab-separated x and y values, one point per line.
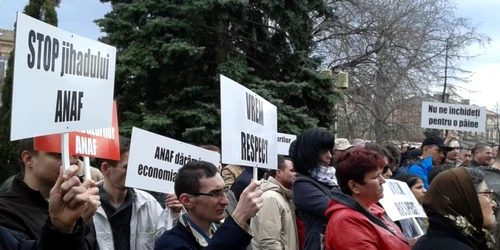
394	51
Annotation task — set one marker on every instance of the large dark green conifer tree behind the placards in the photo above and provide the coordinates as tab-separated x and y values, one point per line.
170	55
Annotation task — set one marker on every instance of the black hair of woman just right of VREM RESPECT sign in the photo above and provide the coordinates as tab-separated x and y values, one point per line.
307	148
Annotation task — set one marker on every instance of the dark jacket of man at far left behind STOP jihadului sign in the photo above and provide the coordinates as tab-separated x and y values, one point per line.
25	211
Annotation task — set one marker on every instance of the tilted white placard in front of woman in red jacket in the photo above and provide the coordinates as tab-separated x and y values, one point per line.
399	202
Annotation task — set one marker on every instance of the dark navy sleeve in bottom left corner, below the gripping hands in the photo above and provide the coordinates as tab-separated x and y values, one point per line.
50	239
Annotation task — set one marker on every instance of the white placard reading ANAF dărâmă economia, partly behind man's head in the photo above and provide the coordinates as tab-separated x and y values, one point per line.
155	160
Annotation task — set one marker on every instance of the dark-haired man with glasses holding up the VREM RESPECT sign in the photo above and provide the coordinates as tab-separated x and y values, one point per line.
200	188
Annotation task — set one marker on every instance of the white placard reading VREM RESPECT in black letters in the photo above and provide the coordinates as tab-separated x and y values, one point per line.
249	127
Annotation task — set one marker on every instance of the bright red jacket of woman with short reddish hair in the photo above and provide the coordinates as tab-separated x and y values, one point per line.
348	229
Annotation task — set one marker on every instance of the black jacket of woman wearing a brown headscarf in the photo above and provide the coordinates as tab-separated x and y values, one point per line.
442	234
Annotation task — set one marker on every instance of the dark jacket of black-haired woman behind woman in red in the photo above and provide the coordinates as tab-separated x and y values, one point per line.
311	199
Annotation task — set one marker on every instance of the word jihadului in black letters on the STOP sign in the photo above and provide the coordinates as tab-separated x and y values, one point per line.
78	63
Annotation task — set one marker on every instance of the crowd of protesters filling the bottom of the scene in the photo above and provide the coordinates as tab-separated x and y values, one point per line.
325	194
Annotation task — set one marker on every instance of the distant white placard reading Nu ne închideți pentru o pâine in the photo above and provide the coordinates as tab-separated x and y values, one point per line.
436	115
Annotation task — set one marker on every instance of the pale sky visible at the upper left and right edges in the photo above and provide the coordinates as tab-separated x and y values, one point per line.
77	16
